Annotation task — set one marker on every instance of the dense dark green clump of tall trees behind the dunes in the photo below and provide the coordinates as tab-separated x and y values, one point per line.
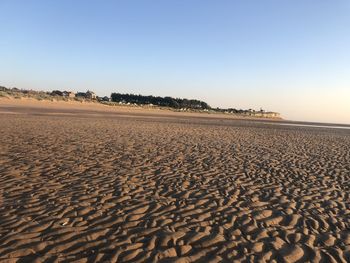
160	101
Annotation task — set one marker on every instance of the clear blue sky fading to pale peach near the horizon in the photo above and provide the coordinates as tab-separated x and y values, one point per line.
290	56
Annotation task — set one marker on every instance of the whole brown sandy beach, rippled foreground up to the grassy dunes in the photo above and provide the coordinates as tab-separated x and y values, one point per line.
80	184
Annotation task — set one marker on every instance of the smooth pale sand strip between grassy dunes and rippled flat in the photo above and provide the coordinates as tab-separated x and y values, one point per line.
11	105
